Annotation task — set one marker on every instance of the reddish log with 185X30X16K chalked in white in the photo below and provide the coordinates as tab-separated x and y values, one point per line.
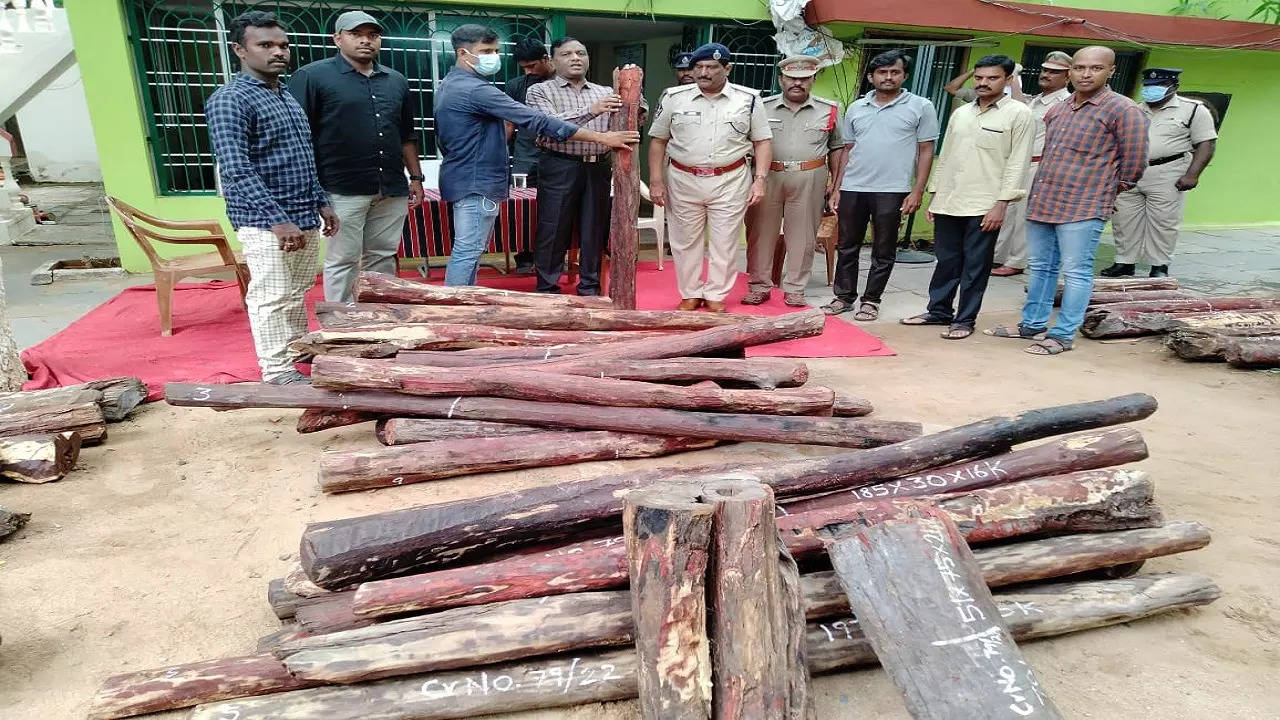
1086	452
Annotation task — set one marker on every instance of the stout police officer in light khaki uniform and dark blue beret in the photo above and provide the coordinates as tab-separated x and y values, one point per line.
698	170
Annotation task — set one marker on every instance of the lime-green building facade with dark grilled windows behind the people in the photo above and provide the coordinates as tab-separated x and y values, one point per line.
149	65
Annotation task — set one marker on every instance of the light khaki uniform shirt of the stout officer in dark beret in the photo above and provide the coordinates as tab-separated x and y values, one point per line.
711	133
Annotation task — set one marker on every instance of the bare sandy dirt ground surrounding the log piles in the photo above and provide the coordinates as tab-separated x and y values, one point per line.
159	548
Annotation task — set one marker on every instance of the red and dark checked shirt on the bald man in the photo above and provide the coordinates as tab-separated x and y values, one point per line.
1092	151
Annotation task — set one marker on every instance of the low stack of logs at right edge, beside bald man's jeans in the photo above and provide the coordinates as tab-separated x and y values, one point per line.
1242	331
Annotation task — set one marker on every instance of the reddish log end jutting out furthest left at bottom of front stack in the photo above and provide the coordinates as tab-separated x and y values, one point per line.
194	683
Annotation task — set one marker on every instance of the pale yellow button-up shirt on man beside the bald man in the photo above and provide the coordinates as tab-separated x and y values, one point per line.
985	158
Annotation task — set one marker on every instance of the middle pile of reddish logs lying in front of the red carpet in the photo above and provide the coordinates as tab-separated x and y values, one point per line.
465	381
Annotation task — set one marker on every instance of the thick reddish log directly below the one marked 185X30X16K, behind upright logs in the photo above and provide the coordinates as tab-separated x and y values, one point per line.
1108	500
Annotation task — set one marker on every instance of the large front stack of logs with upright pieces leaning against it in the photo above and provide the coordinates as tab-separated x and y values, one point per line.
633	585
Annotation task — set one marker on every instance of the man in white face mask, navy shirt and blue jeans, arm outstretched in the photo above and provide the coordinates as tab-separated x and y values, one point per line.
472	135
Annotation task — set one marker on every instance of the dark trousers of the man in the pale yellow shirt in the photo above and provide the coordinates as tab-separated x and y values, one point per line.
964	253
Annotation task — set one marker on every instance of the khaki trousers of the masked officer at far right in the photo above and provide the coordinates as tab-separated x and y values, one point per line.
1148	217
